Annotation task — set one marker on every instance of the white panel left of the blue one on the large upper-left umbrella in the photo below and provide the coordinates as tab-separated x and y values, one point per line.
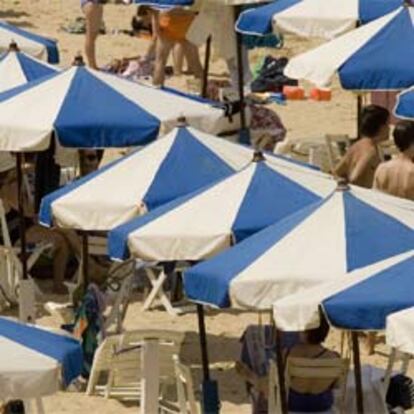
34	133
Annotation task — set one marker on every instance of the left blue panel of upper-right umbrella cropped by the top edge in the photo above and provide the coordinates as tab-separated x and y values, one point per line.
259	19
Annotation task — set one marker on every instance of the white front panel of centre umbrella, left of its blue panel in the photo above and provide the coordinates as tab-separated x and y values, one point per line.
198	228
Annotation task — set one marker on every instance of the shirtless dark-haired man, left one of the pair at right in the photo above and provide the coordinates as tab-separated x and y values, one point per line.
362	159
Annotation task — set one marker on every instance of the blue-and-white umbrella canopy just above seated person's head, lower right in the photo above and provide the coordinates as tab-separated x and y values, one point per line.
361	300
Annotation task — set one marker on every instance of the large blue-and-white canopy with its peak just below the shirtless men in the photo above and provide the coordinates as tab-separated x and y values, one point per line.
349	230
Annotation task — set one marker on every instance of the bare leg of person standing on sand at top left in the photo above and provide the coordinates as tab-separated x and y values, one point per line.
93	15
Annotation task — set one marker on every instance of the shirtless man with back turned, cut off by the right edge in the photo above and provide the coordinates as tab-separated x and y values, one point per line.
396	176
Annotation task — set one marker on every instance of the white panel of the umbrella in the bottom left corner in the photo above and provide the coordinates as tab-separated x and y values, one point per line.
24	373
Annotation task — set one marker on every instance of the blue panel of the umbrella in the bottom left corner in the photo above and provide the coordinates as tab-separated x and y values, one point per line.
64	349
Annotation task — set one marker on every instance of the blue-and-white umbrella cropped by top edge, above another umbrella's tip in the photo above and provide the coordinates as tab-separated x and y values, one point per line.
313	18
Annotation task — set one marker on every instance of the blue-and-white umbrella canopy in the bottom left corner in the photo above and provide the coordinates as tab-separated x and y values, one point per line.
33	361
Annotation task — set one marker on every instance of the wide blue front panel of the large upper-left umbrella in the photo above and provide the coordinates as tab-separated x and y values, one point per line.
93	115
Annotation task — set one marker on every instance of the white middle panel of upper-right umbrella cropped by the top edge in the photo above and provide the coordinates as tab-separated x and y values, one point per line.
318	18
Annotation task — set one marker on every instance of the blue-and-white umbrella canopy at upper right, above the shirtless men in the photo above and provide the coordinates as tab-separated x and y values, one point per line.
377	56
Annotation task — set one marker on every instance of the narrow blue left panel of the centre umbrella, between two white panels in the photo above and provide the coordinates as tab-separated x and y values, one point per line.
118	237
